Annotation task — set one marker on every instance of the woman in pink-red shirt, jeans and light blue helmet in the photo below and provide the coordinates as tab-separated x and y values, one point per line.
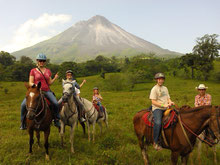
43	75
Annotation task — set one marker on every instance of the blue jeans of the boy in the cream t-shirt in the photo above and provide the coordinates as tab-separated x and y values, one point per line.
158	114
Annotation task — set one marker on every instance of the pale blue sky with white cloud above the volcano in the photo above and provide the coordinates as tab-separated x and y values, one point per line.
171	24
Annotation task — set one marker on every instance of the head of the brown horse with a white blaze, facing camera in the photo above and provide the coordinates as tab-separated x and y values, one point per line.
33	98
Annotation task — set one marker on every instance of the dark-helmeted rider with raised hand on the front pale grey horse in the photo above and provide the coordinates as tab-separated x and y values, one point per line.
69	77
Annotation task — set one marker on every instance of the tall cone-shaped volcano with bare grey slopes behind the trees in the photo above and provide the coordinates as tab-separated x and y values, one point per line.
87	39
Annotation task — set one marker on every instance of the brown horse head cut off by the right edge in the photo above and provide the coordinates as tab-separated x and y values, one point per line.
214	123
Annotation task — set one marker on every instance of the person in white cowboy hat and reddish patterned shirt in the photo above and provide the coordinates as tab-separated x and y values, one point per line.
202	98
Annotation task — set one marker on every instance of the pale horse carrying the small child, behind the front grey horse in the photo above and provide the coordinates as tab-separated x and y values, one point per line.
92	117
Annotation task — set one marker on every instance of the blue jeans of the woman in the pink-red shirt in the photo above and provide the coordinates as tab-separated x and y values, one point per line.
49	95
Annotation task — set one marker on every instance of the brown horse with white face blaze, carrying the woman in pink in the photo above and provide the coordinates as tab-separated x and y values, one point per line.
39	116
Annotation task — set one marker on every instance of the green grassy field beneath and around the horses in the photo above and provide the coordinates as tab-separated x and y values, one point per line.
117	145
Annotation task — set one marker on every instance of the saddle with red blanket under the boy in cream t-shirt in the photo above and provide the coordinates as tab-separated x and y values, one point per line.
167	121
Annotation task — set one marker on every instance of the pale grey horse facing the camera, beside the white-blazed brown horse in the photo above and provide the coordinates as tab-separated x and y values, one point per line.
68	113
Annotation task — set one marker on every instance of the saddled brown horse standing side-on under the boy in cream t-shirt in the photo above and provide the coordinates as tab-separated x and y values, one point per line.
180	144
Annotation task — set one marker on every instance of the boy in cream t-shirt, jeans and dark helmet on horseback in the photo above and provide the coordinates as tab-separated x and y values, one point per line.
160	99
